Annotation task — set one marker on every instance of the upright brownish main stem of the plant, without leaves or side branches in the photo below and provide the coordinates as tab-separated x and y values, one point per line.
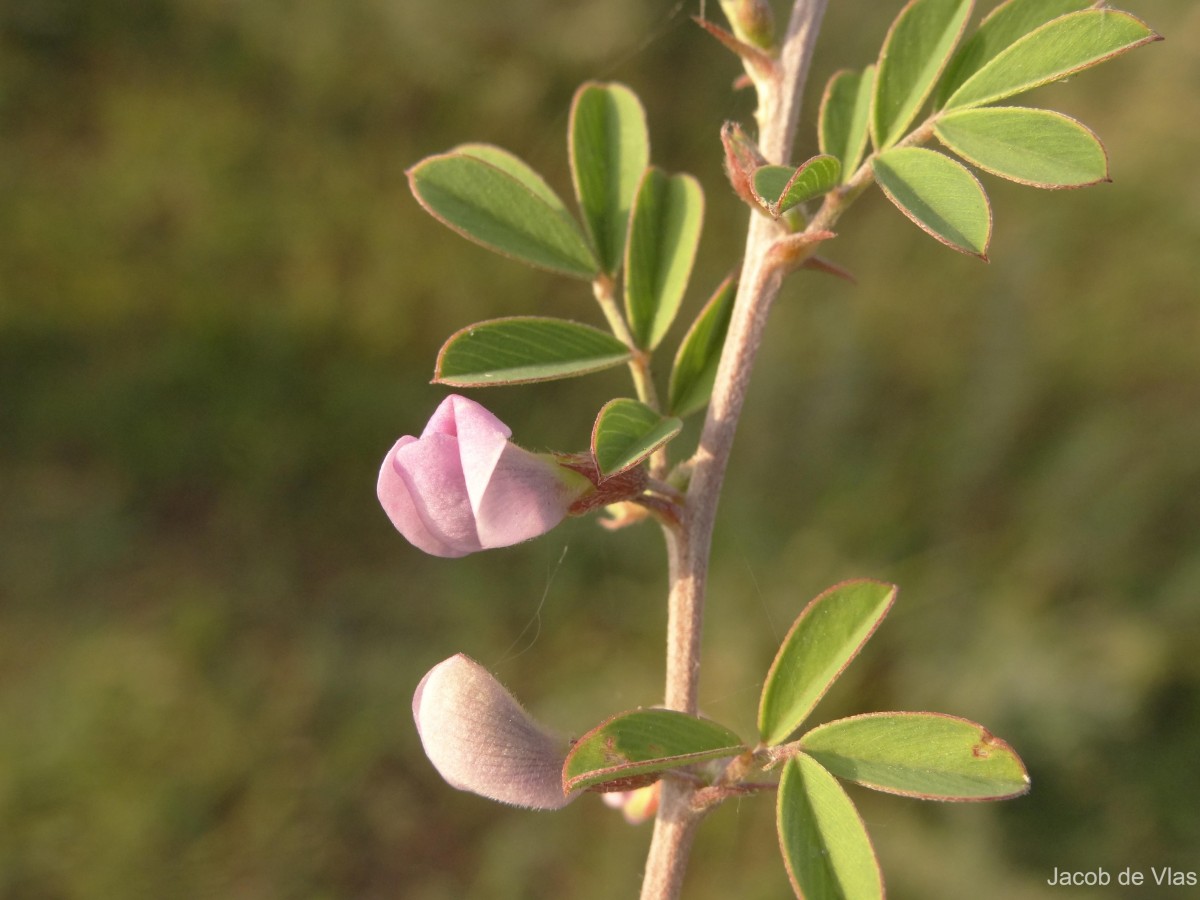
689	547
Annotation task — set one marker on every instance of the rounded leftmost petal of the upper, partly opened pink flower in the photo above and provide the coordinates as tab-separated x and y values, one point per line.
422	490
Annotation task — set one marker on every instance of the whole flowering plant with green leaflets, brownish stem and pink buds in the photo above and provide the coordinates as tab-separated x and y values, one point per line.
465	487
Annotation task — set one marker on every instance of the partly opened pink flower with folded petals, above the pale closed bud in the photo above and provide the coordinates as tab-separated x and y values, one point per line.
463	487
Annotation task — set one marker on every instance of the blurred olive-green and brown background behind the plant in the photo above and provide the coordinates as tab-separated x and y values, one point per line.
220	305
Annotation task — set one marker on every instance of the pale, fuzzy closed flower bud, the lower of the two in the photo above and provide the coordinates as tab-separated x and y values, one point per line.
481	740
